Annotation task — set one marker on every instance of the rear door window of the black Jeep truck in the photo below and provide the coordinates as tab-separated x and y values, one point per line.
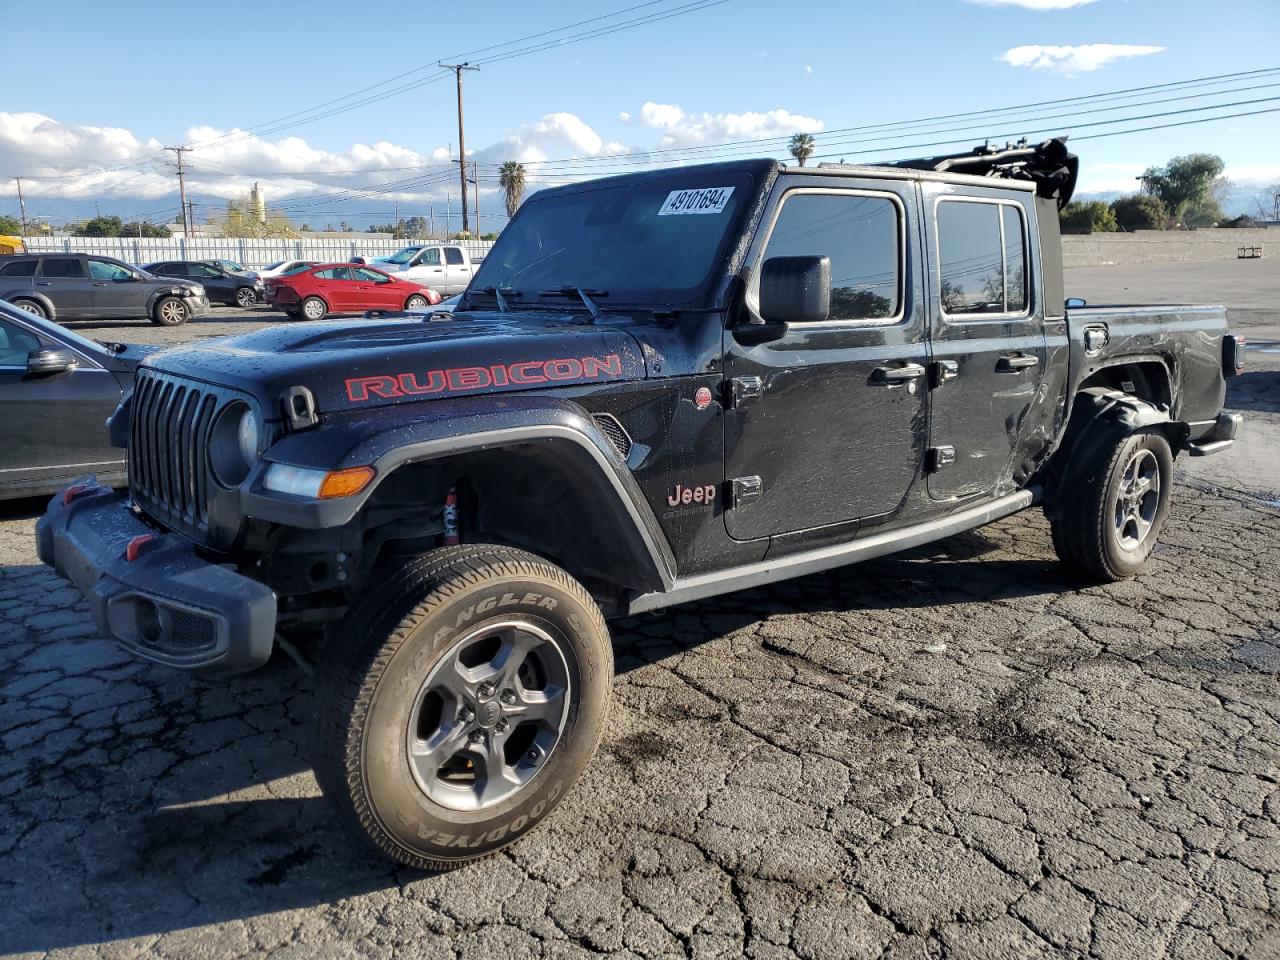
982	259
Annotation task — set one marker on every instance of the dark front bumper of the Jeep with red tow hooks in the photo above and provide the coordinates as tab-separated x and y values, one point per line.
168	605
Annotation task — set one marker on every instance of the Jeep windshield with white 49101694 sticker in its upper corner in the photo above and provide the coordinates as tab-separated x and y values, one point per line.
641	241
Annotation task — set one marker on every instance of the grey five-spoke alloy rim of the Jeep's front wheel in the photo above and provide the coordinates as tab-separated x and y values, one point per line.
488	716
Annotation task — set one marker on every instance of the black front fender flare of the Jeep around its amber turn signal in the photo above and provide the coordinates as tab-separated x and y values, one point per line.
392	437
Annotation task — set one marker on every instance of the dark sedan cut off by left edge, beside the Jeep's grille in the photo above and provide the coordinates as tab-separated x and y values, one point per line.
57	391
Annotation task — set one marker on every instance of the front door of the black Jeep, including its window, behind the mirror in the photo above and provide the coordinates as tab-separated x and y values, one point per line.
828	424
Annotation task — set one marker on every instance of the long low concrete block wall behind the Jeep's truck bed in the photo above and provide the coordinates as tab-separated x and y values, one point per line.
1164	246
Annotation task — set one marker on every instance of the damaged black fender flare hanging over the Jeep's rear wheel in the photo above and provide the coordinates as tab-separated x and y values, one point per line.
1099	420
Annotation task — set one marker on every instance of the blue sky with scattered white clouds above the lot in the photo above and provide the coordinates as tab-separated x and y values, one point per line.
126	79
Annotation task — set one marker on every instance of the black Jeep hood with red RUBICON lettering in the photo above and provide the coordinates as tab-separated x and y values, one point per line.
362	364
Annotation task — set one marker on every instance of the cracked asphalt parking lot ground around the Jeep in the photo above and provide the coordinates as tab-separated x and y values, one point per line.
957	752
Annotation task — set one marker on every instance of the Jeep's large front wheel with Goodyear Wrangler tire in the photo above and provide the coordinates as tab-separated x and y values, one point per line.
460	702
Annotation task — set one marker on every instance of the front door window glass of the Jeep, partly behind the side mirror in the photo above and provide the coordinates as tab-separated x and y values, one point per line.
862	236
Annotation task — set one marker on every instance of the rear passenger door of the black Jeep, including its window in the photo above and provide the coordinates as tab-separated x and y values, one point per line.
988	340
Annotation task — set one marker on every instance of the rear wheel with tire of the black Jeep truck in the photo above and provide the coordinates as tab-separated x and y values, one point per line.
1112	528
